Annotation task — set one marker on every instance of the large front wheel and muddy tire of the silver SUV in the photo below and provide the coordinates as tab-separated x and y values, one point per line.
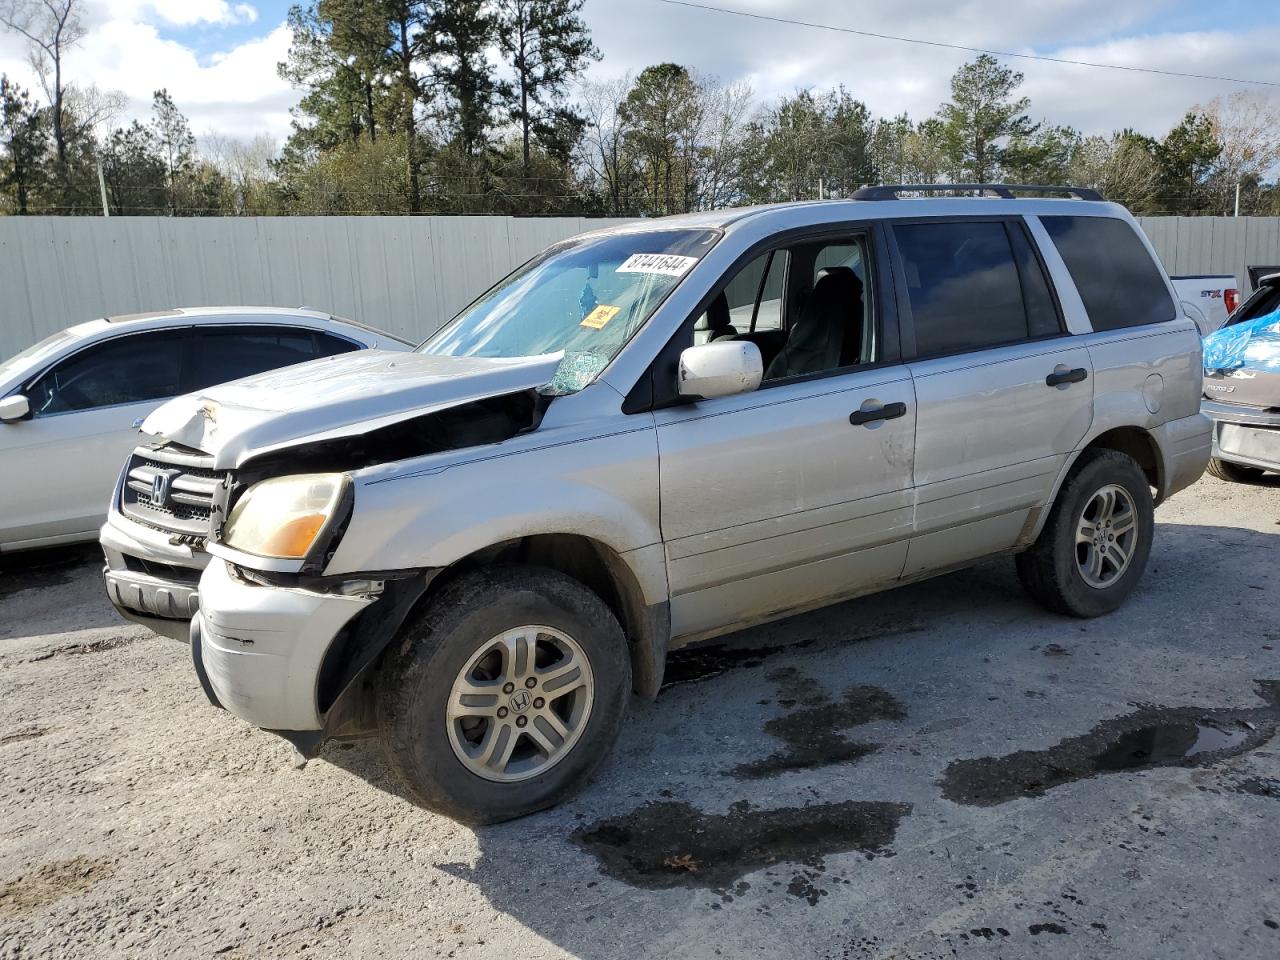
505	696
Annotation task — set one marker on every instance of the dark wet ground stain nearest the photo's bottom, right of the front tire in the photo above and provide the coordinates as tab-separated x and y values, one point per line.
669	844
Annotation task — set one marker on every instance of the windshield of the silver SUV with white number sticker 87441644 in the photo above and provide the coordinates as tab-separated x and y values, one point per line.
584	298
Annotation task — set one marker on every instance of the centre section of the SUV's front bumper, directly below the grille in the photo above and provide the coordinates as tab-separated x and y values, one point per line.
149	579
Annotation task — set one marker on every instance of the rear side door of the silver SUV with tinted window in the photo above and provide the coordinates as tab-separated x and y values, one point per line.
1004	394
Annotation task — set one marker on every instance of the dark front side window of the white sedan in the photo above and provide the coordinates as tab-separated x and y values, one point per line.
134	369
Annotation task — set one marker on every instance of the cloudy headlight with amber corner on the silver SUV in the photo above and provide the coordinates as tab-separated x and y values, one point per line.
285	518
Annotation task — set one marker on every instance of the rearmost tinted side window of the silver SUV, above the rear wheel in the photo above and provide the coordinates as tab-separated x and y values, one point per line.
1118	281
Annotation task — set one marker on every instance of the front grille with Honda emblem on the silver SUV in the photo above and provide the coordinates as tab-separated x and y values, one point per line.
186	490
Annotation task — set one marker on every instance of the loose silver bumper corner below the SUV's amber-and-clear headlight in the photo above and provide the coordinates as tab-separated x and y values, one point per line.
263	647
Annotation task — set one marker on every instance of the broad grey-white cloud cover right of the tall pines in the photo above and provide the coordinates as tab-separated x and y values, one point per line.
894	77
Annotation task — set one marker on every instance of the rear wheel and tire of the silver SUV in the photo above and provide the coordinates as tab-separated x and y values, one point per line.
1098	538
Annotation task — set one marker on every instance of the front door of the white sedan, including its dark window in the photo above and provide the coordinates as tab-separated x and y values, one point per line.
61	465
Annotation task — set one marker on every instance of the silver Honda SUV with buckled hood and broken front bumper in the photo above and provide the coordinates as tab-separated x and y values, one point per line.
674	429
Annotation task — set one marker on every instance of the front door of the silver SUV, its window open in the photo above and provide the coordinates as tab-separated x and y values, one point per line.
798	493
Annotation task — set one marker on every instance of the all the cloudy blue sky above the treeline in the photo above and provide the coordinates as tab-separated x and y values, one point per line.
218	57
